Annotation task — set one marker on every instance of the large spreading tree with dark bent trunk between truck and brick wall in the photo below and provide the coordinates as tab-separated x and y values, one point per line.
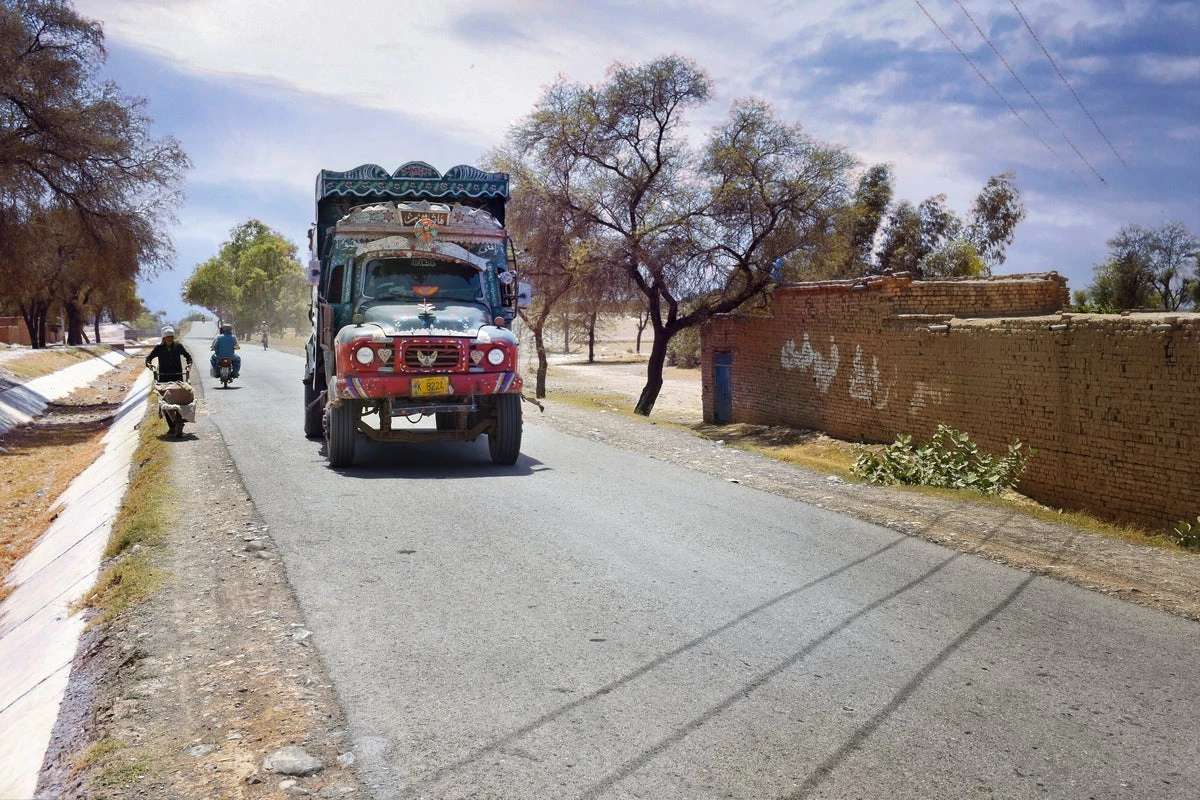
697	234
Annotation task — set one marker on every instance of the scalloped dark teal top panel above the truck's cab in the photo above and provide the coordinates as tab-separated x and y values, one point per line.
338	193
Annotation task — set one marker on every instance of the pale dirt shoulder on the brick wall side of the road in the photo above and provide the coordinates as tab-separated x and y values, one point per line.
1150	576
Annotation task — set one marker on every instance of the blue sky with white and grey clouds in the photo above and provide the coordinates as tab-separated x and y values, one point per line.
1095	105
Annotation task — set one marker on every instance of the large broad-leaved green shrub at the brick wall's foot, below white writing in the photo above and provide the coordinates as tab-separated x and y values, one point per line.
950	460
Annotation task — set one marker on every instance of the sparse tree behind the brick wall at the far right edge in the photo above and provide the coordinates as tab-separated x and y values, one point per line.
1148	268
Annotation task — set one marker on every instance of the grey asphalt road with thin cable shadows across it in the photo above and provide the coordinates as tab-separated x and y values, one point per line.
596	624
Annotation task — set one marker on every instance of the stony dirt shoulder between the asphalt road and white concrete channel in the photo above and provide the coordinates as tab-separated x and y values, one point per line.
195	690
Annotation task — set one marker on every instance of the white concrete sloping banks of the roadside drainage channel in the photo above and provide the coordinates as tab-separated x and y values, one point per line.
39	635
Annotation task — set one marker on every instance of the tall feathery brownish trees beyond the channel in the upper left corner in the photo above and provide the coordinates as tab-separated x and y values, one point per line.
86	193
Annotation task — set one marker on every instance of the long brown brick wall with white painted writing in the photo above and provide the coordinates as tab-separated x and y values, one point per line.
1111	404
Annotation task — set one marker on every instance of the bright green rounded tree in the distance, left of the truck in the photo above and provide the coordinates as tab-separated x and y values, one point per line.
255	278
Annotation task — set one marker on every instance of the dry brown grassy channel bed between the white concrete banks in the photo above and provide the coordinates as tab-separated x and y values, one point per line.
41	459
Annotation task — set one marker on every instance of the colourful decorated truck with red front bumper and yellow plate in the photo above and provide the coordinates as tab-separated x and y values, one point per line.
415	294
